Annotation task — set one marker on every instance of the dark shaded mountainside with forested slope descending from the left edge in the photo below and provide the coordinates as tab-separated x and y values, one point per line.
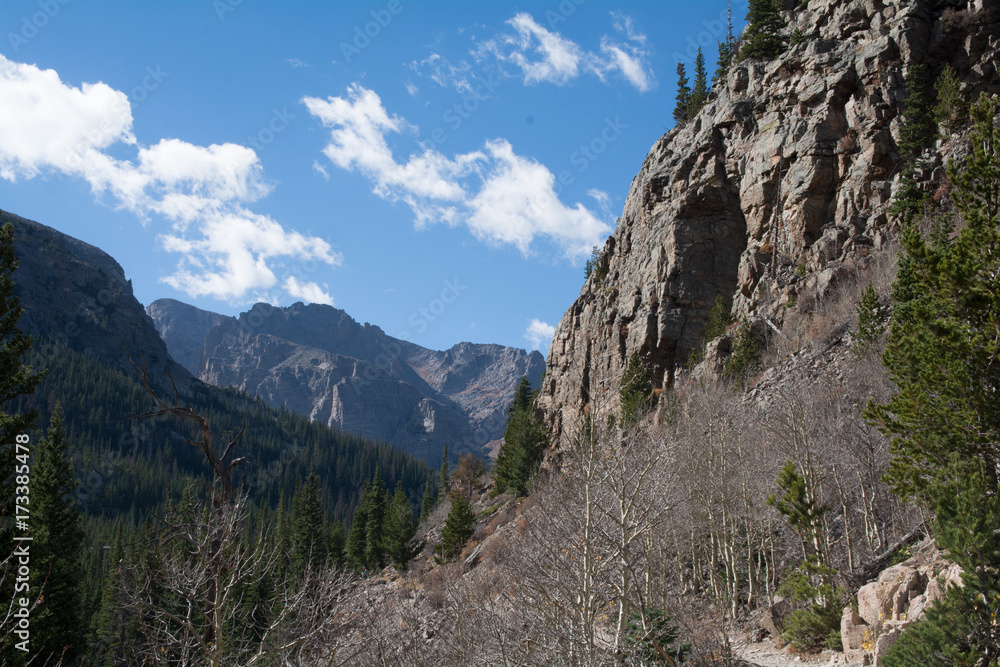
80	309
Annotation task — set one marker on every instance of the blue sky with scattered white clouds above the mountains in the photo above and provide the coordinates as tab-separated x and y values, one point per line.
438	169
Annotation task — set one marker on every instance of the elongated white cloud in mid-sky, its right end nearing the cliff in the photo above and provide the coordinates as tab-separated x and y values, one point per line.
502	197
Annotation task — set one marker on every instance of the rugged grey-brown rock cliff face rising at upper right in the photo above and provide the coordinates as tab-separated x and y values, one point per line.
776	190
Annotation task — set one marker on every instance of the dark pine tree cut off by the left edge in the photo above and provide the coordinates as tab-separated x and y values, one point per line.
16	379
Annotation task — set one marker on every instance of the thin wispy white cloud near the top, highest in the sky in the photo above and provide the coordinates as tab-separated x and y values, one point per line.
544	56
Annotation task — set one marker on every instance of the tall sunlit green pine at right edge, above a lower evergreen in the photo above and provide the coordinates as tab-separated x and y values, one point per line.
943	341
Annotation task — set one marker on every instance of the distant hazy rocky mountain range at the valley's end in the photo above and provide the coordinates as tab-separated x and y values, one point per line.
319	362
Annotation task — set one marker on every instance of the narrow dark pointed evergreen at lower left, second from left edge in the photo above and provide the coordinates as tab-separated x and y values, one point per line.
56	622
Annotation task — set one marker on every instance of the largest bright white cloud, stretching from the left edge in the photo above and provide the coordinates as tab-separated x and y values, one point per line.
228	251
